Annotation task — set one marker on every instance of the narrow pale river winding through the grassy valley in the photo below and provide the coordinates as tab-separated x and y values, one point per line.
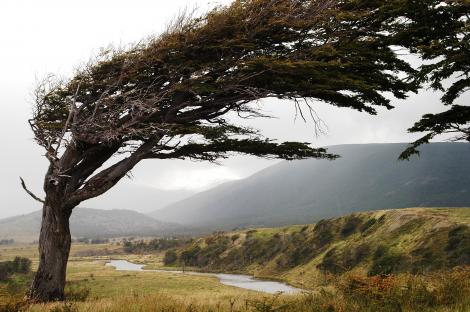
236	280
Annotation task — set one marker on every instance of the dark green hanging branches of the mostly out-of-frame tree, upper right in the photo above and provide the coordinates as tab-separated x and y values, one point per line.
447	51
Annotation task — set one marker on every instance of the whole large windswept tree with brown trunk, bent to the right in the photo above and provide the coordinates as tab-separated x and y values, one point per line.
169	98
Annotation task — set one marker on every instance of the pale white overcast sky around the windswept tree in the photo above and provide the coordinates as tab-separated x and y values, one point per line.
54	36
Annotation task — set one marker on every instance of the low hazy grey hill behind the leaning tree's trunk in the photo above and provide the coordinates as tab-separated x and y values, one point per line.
86	222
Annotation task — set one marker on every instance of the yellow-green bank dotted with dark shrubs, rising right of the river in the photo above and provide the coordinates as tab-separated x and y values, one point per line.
414	240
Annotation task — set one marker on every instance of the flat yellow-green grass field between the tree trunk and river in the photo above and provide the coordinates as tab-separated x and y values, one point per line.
105	285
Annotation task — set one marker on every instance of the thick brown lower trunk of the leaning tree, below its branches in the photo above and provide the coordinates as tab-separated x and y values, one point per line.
54	248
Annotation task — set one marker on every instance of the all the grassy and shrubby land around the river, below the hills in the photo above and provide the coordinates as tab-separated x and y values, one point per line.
390	261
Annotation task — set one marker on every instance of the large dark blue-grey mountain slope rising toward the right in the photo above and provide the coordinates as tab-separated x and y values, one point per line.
366	177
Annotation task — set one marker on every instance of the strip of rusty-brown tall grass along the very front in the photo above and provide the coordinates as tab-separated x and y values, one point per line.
443	291
